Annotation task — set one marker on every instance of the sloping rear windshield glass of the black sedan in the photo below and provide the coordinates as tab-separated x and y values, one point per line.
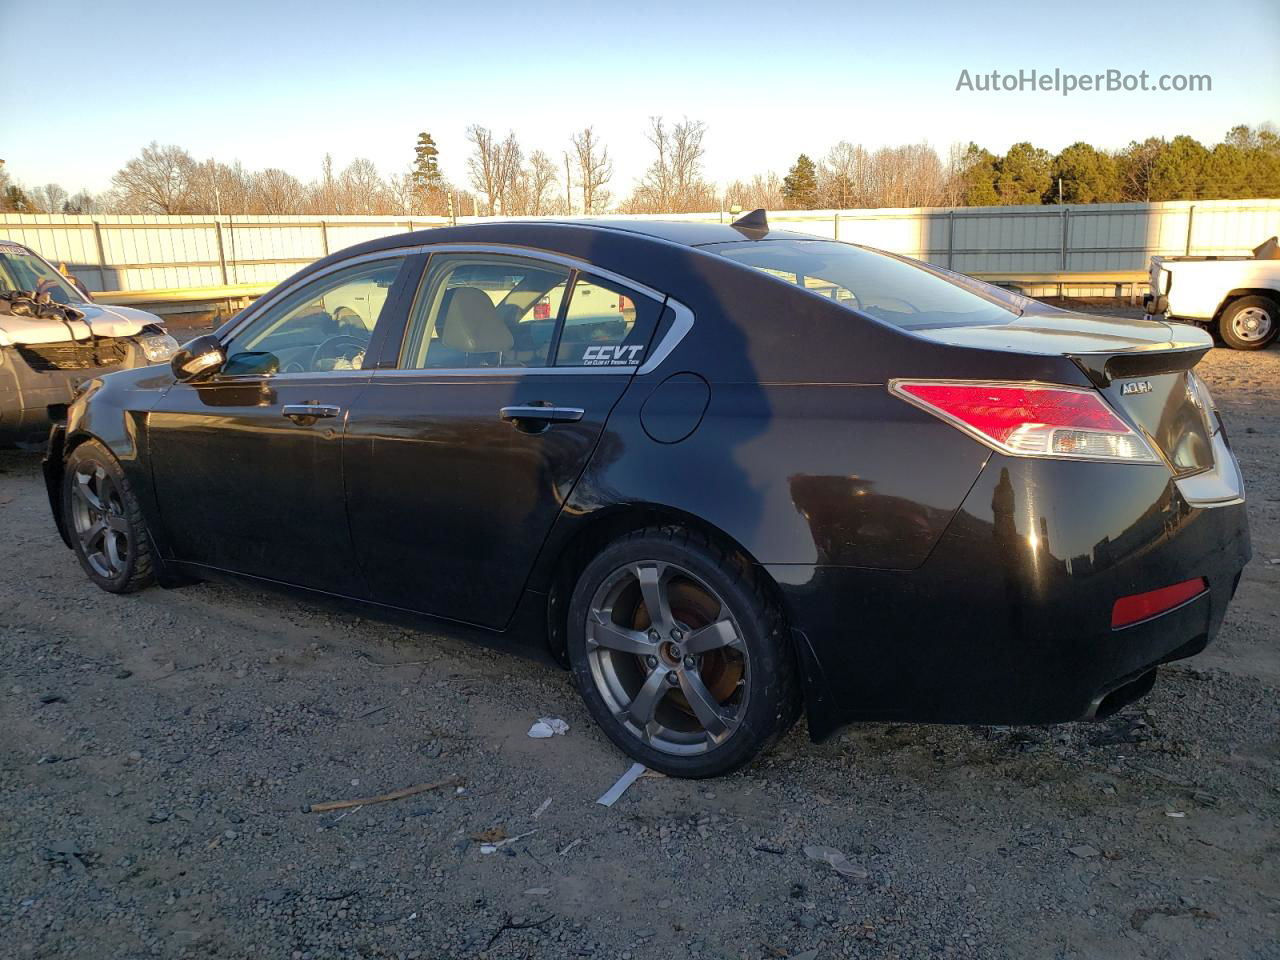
886	287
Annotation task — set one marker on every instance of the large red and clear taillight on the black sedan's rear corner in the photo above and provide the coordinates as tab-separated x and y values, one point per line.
1028	420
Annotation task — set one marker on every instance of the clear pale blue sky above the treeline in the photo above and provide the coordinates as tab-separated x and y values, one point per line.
282	84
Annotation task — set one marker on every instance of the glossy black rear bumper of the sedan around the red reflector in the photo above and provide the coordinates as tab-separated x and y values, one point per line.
1009	620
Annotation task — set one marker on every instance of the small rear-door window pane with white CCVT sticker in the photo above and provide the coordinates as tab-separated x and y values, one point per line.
606	326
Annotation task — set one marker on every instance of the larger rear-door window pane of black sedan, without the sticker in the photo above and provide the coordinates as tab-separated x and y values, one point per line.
477	312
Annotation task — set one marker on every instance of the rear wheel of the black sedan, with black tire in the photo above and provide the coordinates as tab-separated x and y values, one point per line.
765	701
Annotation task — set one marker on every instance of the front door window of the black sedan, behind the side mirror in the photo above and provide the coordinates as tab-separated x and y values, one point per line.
324	326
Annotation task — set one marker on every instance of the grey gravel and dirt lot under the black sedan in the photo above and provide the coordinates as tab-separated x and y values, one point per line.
157	752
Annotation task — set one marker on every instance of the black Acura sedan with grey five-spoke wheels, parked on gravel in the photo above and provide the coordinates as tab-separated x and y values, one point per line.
723	473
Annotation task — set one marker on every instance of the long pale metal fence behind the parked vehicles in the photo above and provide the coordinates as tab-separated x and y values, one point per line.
116	253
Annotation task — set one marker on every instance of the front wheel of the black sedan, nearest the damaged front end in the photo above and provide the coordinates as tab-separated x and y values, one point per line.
106	522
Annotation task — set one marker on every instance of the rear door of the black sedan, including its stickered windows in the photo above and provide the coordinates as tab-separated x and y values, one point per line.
459	460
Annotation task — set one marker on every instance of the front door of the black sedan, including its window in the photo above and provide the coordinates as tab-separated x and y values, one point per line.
249	465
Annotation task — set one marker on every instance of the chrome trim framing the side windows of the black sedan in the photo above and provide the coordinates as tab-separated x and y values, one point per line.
680	328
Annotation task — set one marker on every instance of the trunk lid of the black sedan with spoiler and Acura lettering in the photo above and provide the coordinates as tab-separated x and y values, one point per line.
1144	368
